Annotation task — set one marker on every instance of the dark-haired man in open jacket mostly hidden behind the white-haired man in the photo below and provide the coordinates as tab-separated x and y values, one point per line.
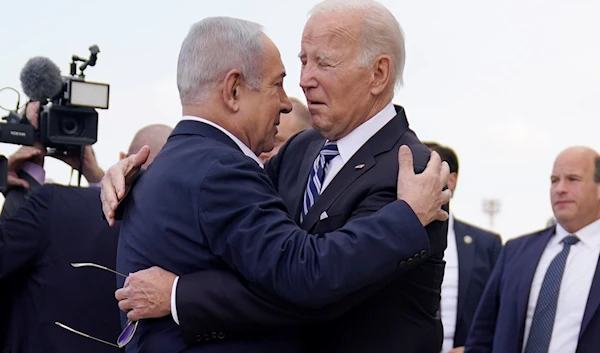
470	258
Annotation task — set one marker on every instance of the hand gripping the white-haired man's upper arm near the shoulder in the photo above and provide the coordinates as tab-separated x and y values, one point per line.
424	192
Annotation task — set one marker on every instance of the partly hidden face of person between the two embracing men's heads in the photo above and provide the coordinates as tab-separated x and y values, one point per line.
289	124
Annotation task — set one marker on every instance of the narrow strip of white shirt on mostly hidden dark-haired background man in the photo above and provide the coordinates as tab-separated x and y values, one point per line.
449	302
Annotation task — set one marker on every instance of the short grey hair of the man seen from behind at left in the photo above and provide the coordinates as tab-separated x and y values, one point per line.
212	48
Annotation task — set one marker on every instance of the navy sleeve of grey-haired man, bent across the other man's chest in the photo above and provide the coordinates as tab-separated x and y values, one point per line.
251	231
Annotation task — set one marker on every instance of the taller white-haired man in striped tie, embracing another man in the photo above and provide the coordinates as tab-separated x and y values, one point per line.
342	170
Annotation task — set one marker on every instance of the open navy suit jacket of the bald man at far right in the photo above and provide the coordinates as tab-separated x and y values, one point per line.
499	325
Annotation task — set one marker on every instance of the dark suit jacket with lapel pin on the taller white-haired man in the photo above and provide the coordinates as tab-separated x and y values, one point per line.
400	318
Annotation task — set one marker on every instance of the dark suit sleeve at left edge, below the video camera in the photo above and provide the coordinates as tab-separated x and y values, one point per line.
22	235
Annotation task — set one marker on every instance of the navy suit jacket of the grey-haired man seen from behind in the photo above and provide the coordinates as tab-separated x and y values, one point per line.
203	204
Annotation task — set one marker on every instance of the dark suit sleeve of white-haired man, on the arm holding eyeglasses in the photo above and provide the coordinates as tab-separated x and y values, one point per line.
222	301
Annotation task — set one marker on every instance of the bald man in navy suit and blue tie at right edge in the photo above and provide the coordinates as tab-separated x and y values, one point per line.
544	293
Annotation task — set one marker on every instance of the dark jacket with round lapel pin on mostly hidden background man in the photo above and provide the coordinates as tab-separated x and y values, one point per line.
478	251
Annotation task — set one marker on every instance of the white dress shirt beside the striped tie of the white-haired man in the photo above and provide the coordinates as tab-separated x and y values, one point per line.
349	144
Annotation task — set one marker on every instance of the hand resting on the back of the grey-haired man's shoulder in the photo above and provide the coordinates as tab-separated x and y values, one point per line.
117	181
